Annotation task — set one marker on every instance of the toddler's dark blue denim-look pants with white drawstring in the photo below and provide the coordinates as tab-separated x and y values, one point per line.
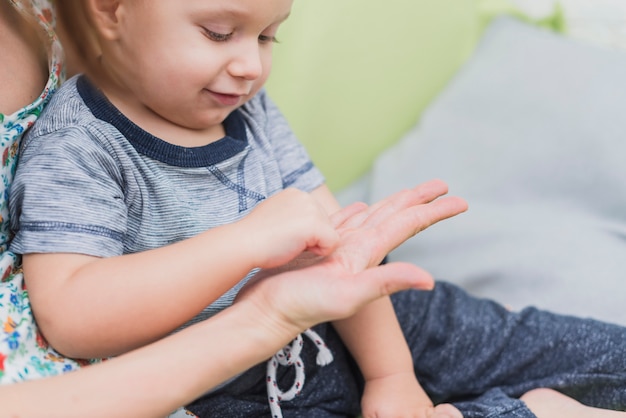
468	351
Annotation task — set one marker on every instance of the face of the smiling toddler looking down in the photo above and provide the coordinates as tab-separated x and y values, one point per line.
191	62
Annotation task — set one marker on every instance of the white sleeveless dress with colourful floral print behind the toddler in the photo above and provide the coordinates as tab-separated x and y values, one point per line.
24	354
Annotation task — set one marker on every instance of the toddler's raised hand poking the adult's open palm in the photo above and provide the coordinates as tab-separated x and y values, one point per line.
286	225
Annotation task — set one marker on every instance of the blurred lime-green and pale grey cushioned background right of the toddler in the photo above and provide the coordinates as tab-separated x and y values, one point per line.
516	104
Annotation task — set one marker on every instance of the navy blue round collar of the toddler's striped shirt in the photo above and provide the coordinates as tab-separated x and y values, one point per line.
149	145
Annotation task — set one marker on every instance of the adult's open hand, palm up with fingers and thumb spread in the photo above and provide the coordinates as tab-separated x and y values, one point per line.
336	286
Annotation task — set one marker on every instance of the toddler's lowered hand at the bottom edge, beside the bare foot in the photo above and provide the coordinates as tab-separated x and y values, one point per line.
400	396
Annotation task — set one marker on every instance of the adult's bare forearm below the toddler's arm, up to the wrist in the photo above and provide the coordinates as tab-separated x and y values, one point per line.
156	379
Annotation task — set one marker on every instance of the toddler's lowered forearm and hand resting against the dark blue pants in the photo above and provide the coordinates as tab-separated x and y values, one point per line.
375	339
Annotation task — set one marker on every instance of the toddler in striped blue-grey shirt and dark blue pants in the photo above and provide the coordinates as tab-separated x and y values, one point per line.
155	187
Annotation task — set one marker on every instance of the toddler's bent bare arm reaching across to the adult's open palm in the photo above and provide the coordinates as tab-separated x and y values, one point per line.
98	307
